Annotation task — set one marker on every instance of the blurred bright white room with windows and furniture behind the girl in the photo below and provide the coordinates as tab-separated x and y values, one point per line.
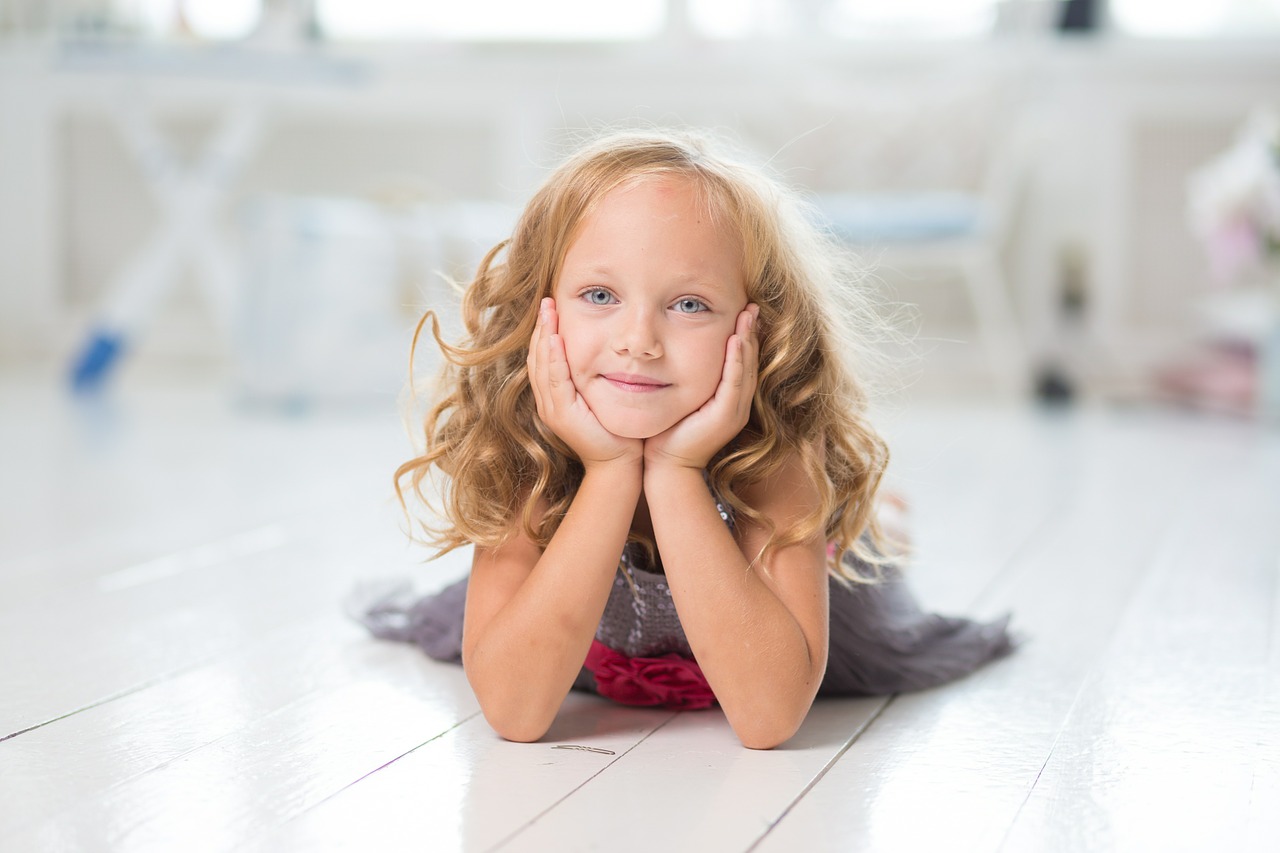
1080	198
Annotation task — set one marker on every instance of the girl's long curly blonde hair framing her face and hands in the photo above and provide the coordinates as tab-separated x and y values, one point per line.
500	462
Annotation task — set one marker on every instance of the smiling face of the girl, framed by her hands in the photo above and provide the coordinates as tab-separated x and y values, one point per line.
648	297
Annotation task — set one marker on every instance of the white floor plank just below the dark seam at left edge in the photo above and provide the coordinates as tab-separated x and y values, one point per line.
121	741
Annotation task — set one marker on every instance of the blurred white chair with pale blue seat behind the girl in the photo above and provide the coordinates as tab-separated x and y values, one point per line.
926	184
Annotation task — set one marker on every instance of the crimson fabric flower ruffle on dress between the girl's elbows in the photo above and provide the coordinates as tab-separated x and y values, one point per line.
670	682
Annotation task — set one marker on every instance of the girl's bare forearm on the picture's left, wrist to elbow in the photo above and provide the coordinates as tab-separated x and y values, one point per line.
524	659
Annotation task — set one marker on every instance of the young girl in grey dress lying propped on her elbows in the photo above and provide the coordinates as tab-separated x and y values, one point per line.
652	440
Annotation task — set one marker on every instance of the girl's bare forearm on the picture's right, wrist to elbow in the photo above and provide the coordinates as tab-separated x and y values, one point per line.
757	658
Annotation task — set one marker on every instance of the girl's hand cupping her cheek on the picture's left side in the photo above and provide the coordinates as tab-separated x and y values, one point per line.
561	407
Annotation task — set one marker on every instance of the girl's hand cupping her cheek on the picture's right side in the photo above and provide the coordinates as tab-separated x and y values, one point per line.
694	440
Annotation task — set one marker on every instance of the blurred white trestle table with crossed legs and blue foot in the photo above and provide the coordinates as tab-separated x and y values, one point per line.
189	195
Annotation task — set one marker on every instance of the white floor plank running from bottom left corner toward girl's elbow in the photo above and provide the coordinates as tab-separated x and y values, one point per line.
280	765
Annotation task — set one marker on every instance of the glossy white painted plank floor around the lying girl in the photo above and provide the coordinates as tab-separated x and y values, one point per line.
176	670
